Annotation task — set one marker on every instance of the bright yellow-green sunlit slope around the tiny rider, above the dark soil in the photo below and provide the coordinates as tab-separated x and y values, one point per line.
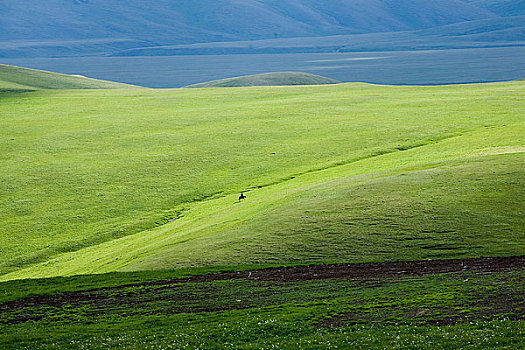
379	173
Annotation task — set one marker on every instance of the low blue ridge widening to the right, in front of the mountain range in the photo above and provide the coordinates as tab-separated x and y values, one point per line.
495	32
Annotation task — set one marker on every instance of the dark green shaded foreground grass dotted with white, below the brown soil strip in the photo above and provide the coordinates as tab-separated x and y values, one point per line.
459	310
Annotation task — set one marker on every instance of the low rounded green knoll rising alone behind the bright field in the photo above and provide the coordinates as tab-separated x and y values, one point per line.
269	79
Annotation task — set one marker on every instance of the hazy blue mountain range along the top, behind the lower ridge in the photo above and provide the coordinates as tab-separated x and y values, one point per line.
33	28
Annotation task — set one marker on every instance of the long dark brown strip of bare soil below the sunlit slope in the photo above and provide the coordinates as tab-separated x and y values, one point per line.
305	273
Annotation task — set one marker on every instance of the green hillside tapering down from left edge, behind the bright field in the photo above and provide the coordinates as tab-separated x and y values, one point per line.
17	78
